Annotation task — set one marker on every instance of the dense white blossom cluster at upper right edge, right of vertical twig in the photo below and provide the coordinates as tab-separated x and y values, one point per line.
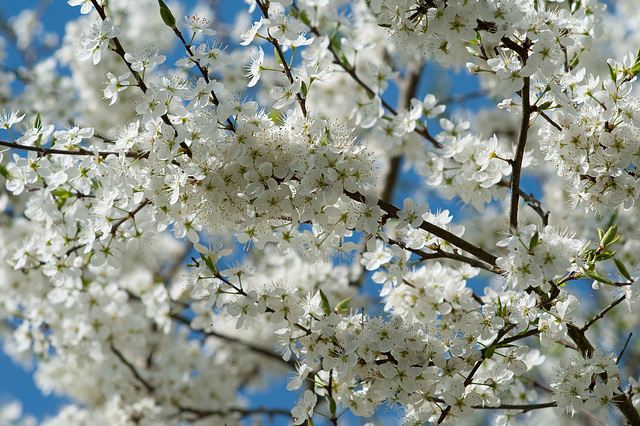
594	145
